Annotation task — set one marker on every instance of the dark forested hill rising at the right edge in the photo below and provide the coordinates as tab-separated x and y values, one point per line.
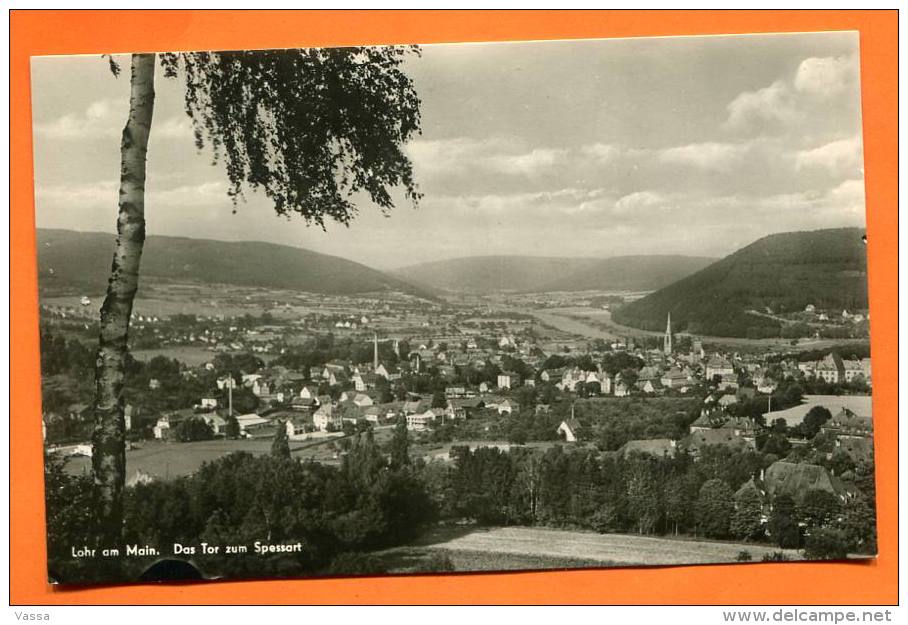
781	272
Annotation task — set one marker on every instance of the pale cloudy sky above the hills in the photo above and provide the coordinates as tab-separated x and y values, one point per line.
681	145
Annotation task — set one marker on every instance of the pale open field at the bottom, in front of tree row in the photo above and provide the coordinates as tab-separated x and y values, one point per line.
528	547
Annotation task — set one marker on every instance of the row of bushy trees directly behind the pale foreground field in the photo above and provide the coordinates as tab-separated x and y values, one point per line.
649	495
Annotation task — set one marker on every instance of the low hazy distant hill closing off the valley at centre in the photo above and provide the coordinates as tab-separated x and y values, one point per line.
490	274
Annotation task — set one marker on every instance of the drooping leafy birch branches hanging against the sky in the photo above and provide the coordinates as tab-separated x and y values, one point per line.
310	128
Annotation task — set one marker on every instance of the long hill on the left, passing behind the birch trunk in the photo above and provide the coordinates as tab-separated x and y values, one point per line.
81	260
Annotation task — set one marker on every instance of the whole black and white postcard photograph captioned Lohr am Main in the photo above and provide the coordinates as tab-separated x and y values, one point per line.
447	308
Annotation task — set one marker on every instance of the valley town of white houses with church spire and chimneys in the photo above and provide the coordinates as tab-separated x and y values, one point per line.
470	376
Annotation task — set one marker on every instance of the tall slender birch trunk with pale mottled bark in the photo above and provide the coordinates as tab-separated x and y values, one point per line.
109	438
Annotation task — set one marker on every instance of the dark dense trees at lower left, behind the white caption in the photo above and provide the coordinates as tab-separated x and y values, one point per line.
336	513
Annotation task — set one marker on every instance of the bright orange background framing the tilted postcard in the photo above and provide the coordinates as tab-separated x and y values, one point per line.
61	32
